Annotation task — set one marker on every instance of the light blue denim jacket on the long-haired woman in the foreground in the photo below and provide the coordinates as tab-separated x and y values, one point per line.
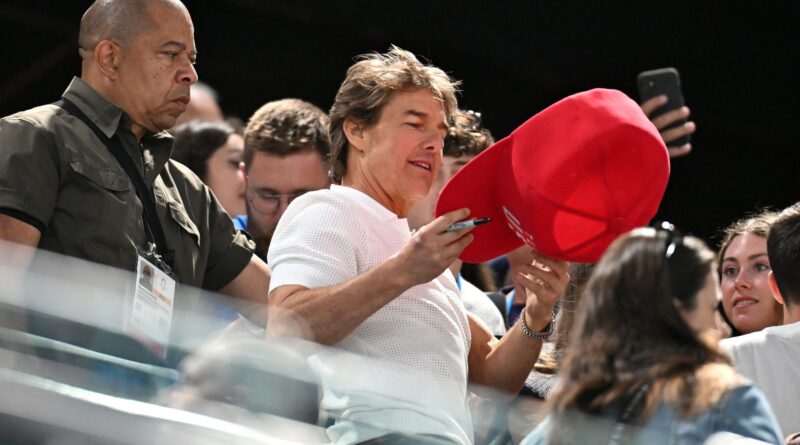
743	410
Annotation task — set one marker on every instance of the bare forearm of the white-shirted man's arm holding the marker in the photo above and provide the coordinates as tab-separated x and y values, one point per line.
328	314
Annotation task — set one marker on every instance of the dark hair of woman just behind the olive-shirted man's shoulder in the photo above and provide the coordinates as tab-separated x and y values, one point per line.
196	141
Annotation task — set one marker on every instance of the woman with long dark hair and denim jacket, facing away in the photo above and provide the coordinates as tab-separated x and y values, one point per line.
643	364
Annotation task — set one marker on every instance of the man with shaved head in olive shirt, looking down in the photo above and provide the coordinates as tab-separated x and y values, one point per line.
63	189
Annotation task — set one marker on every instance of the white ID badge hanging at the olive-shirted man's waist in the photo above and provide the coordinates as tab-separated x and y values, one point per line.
150	318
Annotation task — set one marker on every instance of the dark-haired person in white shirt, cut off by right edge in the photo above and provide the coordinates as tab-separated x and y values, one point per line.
770	357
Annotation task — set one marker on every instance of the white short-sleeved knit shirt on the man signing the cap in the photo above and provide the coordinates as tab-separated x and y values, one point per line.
405	367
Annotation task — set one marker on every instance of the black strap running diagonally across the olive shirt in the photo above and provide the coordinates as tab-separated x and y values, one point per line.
155	234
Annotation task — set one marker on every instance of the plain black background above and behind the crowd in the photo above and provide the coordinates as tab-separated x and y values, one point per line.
738	63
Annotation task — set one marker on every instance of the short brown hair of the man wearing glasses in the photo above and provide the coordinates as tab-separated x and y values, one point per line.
287	126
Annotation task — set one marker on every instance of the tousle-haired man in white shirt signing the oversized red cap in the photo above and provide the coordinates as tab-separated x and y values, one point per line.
348	272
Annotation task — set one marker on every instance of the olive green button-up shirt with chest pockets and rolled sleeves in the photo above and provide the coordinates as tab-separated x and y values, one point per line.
58	176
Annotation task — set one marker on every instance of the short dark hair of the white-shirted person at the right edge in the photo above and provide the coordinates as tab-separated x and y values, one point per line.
783	250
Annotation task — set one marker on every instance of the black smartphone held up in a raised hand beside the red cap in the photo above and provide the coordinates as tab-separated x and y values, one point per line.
665	81
